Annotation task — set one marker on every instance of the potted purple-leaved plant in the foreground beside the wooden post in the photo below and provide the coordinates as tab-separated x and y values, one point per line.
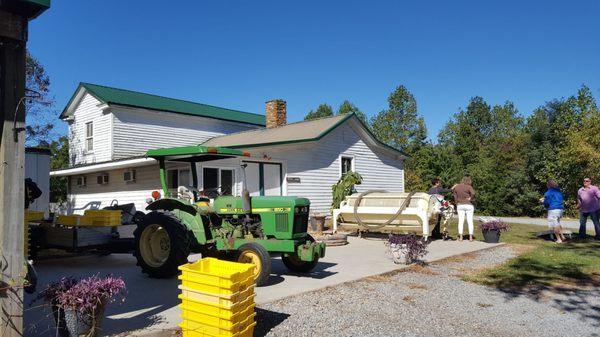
78	305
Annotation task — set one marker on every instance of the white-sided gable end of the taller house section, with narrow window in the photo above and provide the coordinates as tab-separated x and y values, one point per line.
88	111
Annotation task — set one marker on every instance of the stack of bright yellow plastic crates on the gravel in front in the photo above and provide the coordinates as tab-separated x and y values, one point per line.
217	299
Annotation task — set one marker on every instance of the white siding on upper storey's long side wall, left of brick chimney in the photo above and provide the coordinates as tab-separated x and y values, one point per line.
135	132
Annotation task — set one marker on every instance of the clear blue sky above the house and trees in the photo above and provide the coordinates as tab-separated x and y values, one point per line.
238	54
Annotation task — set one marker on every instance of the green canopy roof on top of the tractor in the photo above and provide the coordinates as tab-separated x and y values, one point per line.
195	153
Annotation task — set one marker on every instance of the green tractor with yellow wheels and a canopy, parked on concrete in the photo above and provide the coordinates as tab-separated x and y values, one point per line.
243	229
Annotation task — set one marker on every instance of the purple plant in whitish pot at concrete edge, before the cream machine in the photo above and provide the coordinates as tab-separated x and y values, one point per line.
406	248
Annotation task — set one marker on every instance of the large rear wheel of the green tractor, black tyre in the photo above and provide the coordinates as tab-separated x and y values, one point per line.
162	243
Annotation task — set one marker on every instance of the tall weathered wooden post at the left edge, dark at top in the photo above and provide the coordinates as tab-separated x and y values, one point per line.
14	17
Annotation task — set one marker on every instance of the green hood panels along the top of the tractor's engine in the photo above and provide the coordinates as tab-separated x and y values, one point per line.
233	205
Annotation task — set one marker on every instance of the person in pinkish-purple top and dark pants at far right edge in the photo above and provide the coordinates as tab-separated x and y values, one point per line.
588	202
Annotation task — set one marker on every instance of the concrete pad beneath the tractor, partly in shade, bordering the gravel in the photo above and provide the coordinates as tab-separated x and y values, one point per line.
151	304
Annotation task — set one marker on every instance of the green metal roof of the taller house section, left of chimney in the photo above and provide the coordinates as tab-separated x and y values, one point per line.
130	98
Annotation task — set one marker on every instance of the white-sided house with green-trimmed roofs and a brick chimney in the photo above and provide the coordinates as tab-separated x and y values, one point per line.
111	129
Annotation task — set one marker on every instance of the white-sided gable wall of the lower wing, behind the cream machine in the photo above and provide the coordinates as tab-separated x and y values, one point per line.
318	166
